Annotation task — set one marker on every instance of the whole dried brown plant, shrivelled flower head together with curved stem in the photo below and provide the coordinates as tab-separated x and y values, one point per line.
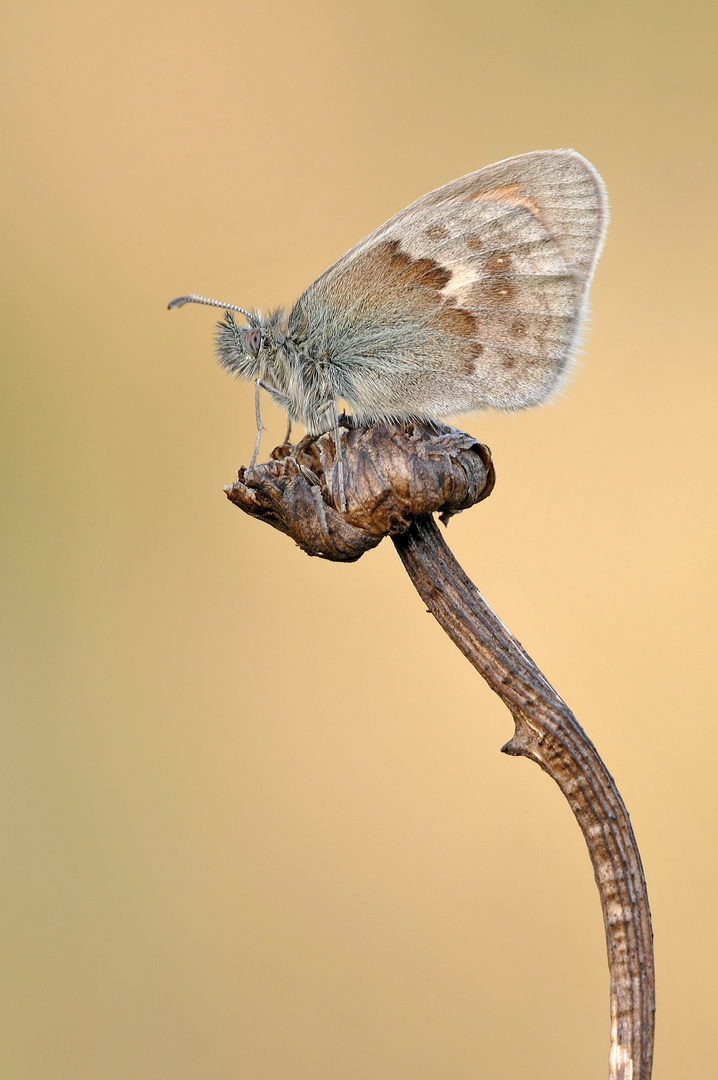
395	478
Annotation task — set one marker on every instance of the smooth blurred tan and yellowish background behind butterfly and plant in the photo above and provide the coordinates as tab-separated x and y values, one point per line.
255	820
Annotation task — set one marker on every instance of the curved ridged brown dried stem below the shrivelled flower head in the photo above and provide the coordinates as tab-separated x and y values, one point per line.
549	734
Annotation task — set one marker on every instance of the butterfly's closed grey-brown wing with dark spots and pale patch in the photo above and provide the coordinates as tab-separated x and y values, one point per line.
472	298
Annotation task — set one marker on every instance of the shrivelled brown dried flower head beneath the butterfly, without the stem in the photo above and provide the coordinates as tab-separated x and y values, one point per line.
392	475
